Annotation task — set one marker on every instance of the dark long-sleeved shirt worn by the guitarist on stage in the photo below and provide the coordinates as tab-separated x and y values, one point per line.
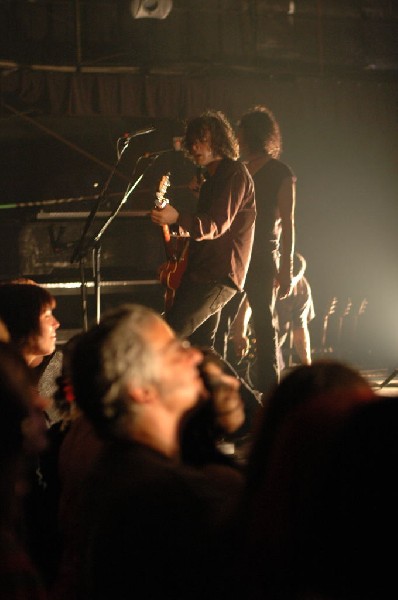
222	229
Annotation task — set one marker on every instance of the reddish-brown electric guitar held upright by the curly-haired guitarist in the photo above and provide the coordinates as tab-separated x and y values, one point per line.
171	272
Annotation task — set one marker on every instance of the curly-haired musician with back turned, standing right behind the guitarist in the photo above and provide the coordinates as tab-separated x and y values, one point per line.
270	270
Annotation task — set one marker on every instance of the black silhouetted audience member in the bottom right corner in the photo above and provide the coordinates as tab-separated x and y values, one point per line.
348	543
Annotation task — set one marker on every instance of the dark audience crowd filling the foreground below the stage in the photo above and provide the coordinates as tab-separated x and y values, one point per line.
170	477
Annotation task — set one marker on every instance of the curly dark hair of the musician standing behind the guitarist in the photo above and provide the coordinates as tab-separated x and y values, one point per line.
261	131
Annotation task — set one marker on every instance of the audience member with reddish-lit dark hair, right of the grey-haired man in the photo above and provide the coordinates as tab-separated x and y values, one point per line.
301	423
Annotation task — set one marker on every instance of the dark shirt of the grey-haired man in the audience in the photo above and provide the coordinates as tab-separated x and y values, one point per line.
152	527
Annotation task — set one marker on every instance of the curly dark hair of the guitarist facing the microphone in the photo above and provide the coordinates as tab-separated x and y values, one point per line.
223	139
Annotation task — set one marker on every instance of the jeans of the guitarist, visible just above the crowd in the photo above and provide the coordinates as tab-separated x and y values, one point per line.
196	310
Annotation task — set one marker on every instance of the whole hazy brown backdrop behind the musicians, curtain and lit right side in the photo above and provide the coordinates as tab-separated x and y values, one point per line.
340	137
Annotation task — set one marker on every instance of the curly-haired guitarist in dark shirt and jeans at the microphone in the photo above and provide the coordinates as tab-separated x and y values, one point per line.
221	231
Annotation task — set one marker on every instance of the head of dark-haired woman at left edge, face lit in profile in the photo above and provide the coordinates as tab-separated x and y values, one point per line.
26	310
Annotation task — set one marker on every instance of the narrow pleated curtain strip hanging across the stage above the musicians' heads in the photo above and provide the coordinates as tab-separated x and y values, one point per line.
123	94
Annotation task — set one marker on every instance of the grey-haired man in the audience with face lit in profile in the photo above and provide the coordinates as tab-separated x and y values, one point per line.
151	524
